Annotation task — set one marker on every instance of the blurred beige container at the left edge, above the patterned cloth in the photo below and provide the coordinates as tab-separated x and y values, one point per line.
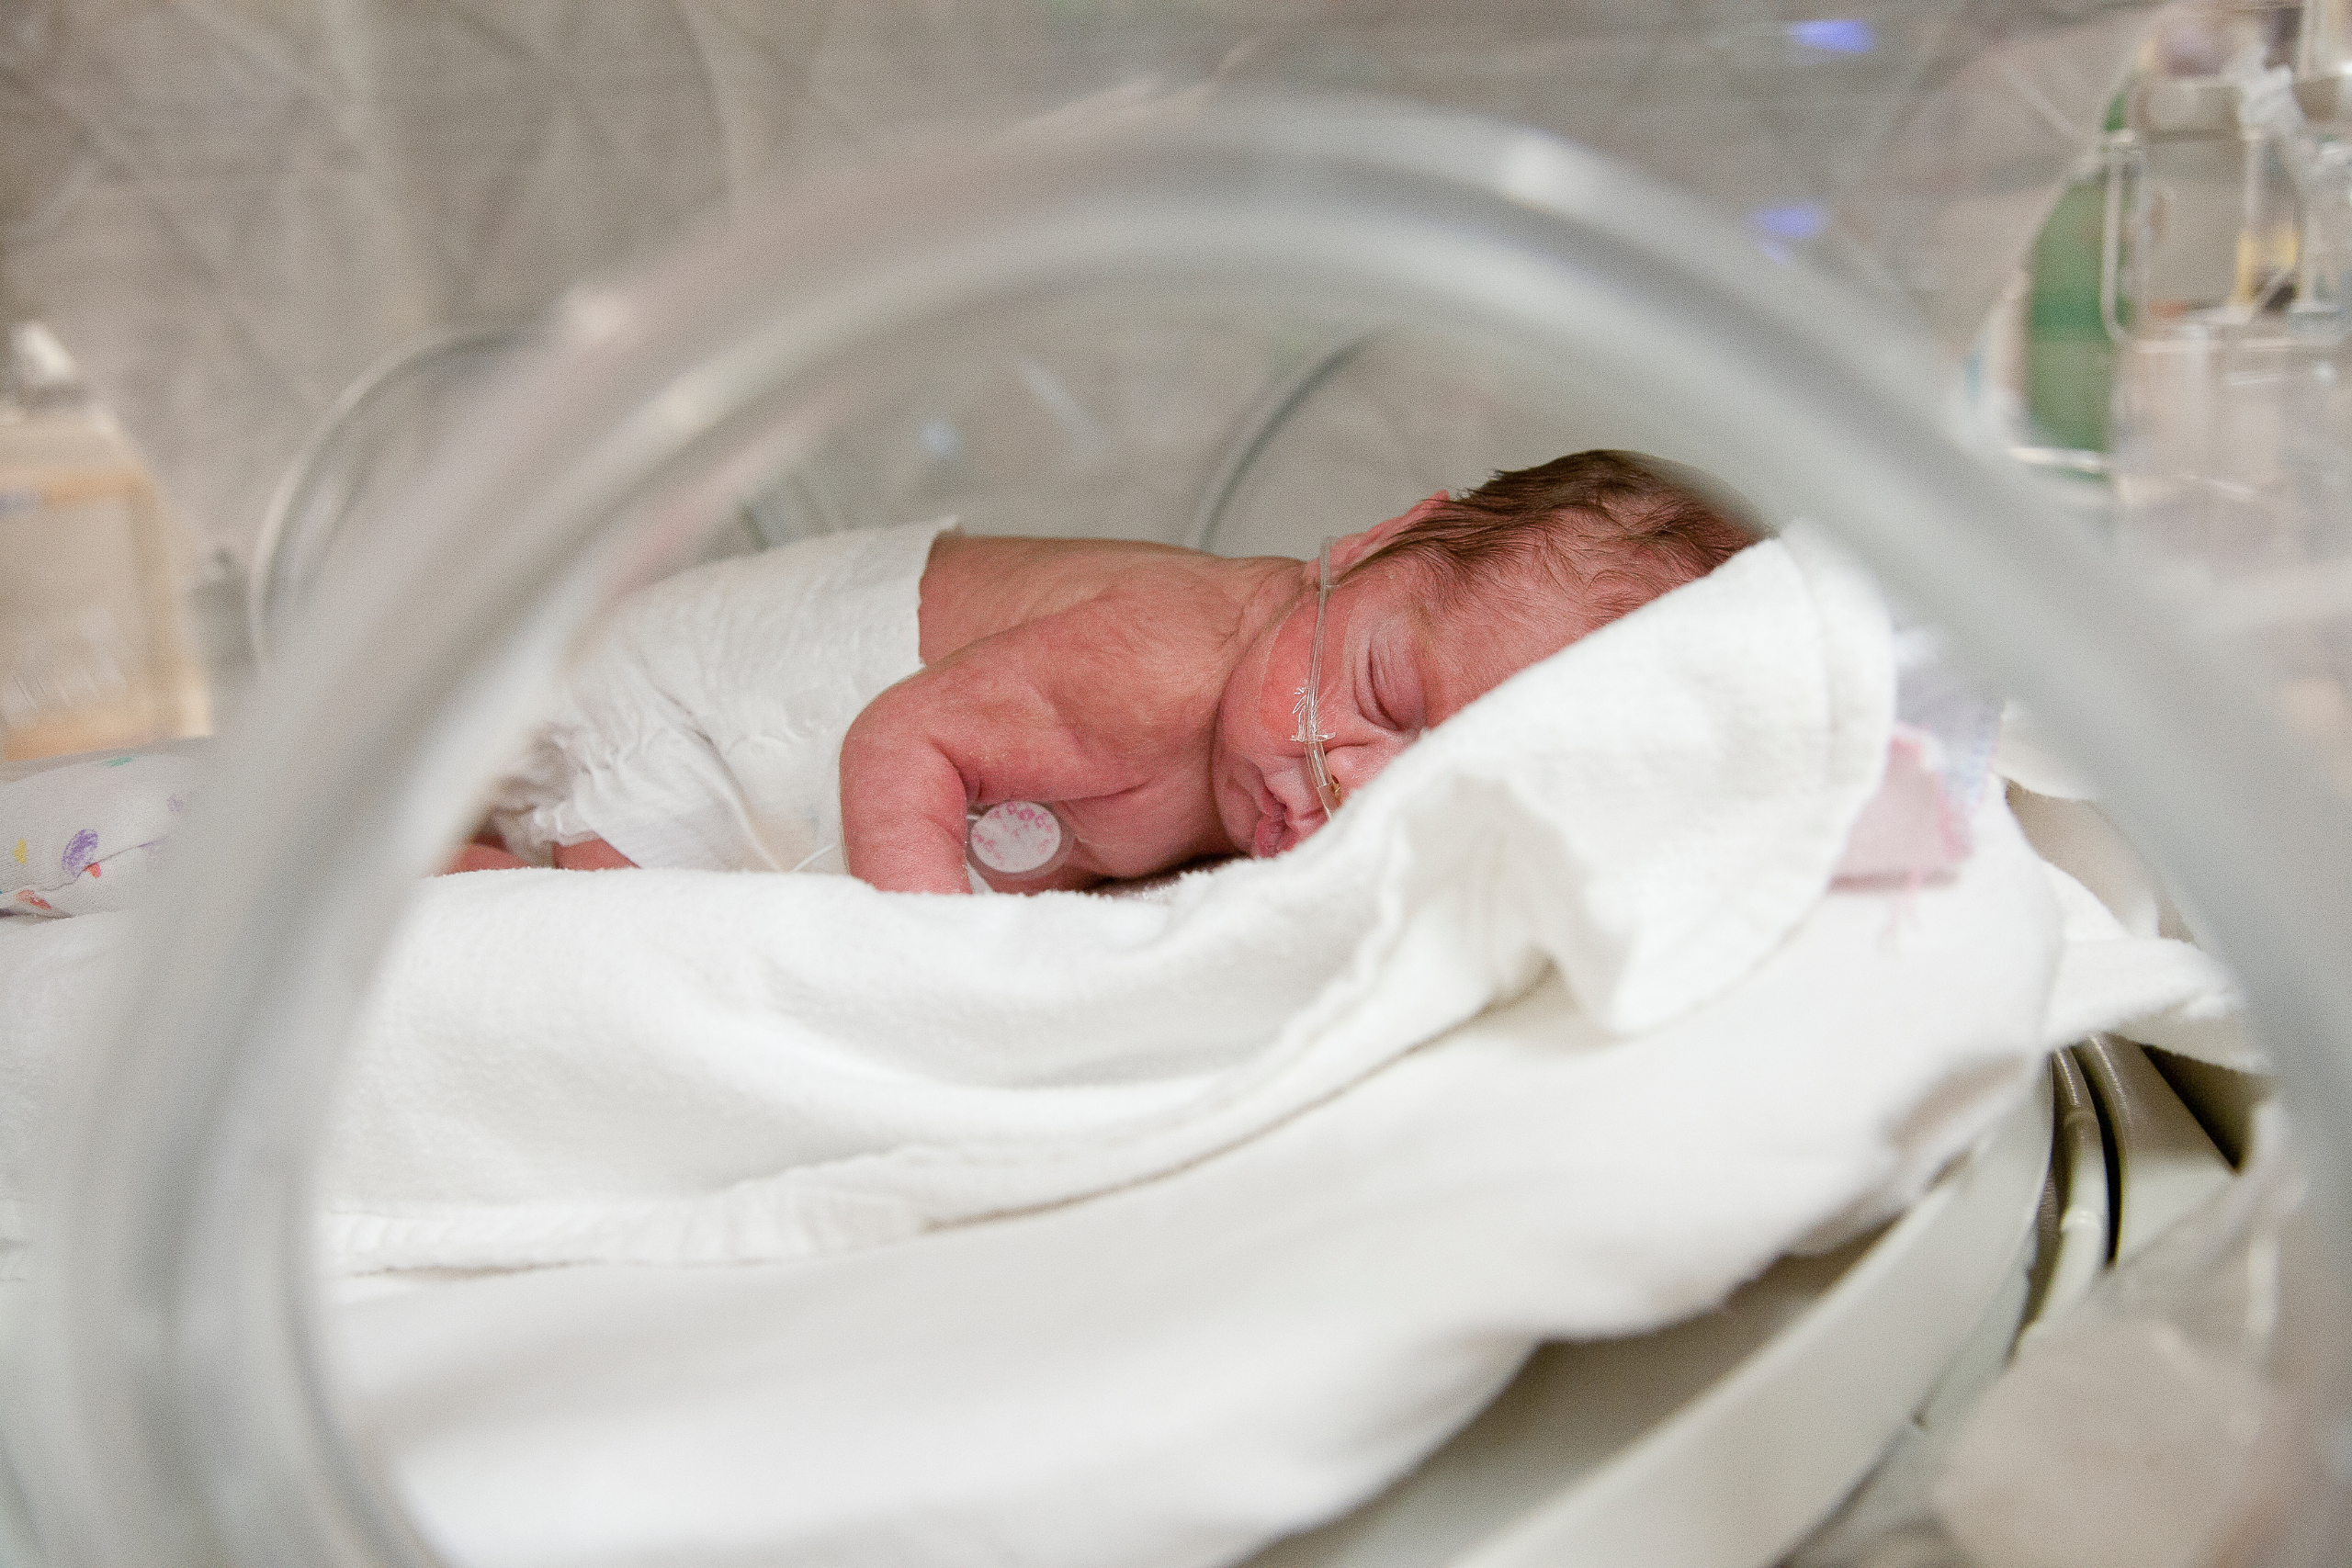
93	638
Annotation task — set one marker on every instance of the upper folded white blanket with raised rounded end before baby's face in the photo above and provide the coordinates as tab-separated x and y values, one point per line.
726	1068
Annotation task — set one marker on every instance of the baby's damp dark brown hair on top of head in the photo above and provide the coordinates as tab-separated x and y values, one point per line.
1610	530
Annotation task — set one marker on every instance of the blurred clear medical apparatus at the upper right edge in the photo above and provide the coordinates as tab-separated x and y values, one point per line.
2229	274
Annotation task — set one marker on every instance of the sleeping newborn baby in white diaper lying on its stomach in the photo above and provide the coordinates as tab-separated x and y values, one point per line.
770	713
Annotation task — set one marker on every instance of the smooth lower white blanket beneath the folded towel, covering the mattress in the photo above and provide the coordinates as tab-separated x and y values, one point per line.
1177	1372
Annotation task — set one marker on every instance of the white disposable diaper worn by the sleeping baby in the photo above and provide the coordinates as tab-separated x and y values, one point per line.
704	725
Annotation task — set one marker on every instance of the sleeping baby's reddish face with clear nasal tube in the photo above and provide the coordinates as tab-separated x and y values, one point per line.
1391	671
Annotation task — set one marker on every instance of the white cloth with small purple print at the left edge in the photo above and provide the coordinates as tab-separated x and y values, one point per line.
91	836
